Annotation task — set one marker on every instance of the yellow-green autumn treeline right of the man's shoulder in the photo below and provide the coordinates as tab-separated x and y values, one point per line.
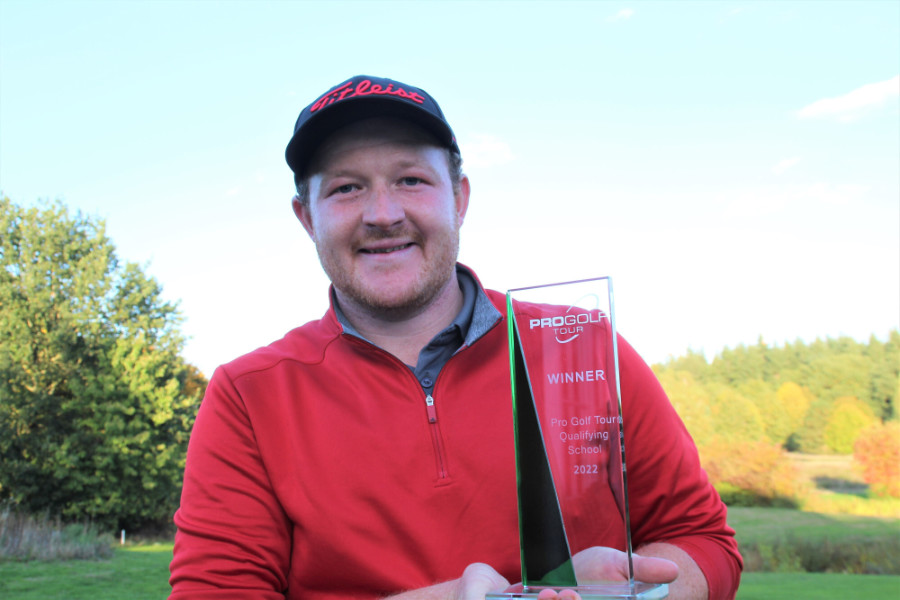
752	403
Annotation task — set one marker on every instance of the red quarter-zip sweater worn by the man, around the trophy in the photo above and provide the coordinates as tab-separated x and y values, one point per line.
315	470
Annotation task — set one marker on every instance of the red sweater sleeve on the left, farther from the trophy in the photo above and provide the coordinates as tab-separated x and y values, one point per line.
233	538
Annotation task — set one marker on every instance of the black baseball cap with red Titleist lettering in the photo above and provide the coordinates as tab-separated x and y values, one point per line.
363	97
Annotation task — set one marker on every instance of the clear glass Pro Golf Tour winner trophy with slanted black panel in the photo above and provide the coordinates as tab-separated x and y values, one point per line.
570	449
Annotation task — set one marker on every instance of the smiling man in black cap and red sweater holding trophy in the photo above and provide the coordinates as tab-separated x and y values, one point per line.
370	453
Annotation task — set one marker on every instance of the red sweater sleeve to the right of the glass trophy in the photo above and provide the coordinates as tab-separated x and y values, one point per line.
670	497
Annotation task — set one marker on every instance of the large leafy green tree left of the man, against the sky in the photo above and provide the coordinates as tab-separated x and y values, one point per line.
94	418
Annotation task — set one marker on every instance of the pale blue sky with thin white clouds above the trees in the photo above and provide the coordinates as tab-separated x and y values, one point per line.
734	167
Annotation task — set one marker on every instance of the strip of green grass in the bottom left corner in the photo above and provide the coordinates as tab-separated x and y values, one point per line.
136	573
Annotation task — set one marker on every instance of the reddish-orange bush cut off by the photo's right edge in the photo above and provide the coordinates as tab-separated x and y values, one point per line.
877	451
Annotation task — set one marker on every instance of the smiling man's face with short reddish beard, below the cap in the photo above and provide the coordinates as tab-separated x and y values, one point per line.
384	216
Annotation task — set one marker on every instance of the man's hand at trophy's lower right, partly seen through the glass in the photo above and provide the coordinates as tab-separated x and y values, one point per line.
599	564
